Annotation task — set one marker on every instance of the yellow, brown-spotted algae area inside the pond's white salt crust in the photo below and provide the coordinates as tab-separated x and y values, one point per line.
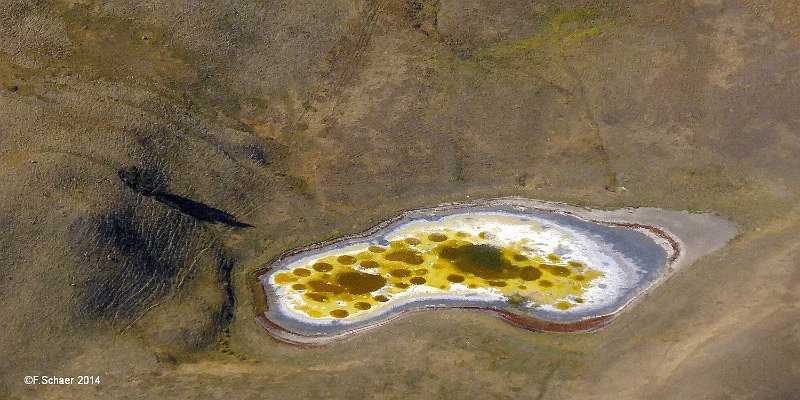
342	286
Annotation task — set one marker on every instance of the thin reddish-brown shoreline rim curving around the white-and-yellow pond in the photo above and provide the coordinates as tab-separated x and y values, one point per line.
530	323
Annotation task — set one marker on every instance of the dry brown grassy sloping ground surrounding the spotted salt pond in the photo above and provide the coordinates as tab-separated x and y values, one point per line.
313	120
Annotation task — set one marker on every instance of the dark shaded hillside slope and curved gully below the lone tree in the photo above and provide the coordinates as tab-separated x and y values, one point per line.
137	256
